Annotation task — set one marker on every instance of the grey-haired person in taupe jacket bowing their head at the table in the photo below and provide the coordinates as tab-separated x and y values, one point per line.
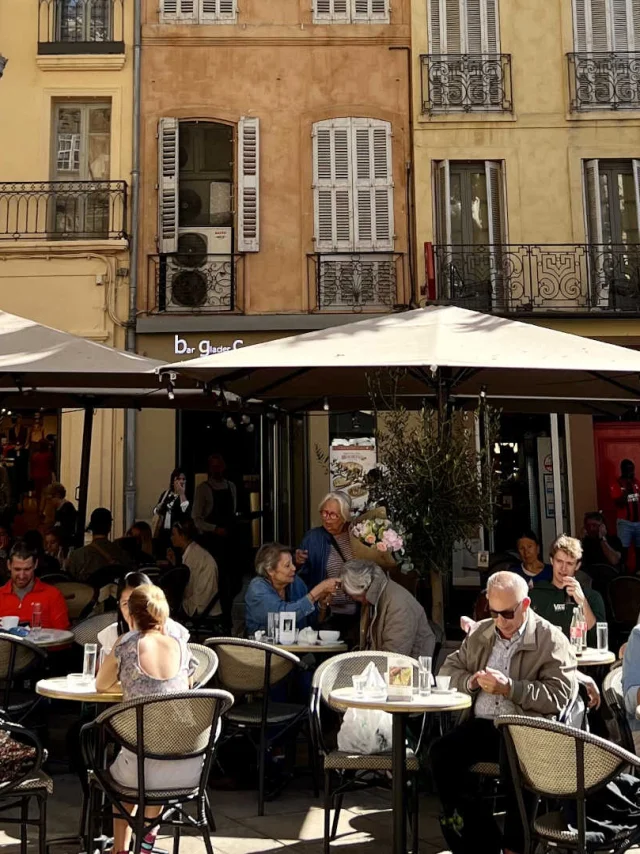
391	618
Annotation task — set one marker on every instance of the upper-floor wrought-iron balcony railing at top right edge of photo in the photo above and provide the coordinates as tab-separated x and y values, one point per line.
604	81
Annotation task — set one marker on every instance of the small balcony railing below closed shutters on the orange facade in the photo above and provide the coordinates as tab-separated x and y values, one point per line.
356	281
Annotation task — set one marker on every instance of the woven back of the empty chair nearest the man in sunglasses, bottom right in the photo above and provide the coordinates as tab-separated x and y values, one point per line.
556	760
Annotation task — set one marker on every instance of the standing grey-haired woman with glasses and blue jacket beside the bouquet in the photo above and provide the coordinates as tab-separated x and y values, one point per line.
324	551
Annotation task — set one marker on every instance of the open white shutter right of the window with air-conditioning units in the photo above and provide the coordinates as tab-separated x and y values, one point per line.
249	185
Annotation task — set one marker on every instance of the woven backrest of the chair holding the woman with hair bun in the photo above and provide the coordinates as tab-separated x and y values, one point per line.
167	726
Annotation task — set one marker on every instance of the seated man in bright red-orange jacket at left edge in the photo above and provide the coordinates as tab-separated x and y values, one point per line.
19	594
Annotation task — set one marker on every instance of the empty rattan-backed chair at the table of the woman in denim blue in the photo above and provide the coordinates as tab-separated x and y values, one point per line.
249	667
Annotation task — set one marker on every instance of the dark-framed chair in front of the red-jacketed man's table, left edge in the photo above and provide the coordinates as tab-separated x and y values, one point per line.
22	663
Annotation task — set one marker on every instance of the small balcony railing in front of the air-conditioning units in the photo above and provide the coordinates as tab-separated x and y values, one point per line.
188	283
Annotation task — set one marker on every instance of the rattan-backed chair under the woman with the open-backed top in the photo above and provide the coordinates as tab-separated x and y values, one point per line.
170	727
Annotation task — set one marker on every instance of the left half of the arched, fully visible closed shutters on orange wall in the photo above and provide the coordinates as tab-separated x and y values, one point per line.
333	187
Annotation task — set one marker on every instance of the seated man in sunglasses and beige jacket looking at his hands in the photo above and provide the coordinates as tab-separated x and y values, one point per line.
513	663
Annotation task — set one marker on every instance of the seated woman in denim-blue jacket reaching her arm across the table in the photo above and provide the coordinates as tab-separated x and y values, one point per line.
277	588
